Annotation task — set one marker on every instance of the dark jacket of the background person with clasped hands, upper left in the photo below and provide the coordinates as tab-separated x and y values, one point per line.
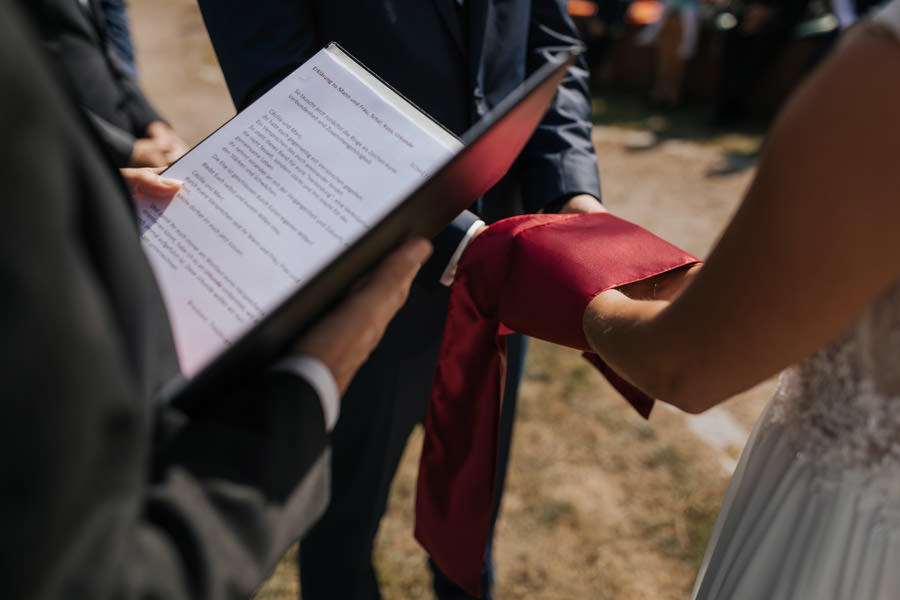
76	38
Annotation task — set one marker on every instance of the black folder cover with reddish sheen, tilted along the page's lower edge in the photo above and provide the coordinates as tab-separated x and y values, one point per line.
489	149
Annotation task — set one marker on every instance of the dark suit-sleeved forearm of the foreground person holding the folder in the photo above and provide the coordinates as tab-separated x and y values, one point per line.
228	501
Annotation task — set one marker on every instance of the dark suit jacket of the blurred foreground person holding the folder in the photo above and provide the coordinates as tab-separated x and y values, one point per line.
105	493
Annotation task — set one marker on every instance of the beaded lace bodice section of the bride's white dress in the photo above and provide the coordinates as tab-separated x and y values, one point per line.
842	405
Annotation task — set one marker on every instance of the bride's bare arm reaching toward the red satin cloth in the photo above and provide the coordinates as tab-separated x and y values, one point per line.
816	240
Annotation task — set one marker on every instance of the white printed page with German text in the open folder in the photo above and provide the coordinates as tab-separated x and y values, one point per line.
275	195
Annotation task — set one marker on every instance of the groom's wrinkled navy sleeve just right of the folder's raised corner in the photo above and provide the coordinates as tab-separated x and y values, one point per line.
559	160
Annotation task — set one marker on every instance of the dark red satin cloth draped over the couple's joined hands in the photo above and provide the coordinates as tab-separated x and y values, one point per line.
533	274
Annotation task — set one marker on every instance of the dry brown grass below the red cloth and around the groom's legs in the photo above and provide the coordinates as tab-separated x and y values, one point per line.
599	503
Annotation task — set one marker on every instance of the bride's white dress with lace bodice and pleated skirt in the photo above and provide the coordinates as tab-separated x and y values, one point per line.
813	509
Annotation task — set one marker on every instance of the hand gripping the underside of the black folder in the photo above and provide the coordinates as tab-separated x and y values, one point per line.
346	336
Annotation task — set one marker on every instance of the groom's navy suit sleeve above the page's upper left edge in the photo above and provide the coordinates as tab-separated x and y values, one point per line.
259	43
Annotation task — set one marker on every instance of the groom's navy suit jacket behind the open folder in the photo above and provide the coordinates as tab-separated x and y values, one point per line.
455	64
